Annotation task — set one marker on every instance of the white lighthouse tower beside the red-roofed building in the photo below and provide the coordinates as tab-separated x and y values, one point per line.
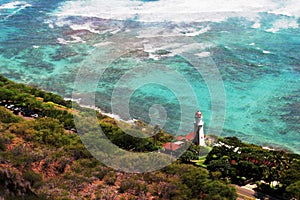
198	130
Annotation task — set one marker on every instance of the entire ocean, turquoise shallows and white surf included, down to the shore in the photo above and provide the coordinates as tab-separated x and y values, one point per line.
162	60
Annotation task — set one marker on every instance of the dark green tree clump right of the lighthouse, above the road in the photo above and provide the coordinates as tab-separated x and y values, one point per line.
275	172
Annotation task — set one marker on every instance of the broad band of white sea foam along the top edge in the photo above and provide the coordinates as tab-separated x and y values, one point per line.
176	10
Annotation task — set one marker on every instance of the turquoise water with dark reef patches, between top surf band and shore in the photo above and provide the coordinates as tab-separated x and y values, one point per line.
259	67
